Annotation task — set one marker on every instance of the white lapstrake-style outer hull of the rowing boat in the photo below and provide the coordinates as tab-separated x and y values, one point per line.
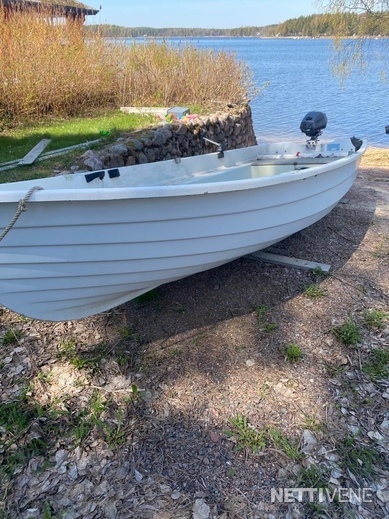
66	259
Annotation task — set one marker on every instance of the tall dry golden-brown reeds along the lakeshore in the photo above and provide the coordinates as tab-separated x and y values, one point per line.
49	68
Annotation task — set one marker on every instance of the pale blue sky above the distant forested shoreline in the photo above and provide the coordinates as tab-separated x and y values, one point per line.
218	14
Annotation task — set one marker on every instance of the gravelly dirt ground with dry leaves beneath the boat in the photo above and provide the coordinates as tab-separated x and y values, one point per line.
192	404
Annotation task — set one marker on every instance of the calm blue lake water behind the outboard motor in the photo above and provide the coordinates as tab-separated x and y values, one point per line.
300	81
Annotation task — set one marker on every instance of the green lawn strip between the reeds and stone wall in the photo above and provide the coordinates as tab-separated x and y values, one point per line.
17	142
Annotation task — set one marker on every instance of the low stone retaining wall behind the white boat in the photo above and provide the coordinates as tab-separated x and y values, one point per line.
232	128
